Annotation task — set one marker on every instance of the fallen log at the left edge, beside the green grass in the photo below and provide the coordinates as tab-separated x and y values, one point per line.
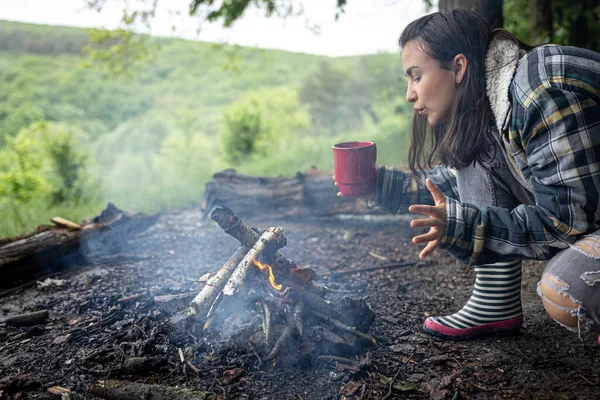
51	248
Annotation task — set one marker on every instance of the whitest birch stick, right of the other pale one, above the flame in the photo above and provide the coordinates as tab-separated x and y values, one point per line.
269	242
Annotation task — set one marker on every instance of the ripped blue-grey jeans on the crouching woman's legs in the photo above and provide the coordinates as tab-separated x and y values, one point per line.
576	270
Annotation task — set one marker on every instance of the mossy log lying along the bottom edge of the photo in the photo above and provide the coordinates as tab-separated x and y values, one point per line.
124	390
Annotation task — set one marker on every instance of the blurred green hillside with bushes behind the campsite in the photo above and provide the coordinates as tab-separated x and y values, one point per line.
150	141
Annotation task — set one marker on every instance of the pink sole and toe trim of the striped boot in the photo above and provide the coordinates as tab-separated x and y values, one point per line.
432	327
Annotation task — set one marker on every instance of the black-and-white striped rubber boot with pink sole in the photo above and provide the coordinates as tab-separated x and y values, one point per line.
494	306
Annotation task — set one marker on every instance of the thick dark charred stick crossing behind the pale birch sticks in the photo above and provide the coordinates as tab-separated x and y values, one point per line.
238	229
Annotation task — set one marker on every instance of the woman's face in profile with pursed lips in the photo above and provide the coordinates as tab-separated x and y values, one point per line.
431	88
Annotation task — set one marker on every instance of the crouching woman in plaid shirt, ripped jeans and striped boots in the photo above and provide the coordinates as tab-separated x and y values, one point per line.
515	134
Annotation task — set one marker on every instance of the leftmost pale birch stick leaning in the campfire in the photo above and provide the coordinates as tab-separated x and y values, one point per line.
207	296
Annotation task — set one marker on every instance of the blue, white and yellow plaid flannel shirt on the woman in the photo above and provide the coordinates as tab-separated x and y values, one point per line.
552	138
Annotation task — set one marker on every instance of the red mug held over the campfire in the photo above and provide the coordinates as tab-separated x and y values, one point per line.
354	167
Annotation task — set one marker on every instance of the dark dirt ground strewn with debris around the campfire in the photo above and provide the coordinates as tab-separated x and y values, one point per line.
90	333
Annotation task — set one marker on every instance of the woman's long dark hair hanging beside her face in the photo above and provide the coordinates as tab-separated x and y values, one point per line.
465	138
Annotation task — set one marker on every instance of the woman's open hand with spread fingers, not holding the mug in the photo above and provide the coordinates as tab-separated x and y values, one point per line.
436	221
